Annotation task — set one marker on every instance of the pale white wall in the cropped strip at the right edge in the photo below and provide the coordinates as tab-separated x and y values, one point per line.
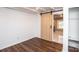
74	23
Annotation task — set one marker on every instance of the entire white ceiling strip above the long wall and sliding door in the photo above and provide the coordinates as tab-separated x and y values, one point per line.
36	9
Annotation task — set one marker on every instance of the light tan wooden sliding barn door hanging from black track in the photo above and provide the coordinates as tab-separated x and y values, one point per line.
46	26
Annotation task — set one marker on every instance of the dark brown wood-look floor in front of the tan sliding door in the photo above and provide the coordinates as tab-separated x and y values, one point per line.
35	45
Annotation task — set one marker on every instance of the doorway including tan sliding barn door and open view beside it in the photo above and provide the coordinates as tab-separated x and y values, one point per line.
52	27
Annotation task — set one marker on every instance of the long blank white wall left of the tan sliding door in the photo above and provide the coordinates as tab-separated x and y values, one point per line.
17	26
